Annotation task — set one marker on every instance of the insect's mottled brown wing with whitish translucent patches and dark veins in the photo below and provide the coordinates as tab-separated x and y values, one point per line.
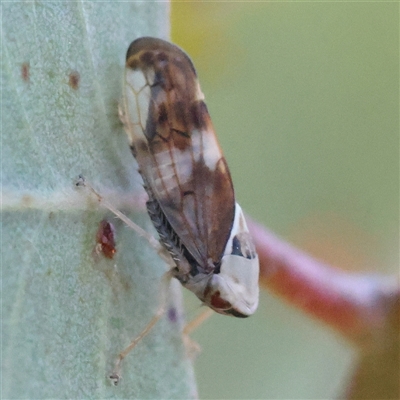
173	140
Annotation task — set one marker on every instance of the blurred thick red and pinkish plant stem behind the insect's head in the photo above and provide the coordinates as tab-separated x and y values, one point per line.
355	305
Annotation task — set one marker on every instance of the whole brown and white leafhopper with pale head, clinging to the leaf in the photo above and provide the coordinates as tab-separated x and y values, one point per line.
191	199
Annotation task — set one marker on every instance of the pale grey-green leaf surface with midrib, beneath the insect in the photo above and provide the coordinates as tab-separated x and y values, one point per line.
66	310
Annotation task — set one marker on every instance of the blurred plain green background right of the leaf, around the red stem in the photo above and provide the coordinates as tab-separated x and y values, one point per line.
305	101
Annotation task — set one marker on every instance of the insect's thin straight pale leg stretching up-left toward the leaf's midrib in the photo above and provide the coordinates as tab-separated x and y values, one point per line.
140	231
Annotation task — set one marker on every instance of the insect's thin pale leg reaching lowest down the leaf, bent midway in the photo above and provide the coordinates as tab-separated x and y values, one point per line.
115	376
